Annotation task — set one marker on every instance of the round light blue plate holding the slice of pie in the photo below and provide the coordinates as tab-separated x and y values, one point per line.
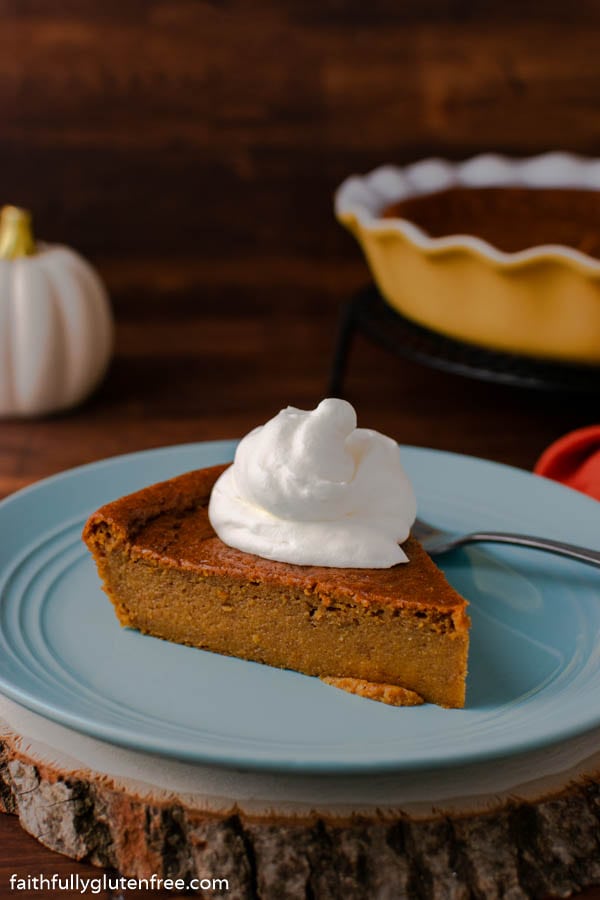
534	663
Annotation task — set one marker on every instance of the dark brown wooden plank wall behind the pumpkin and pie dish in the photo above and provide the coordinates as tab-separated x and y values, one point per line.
218	131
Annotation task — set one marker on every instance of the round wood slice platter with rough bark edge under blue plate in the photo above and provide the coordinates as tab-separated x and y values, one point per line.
525	826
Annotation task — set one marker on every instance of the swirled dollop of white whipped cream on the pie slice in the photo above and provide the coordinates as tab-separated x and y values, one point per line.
310	488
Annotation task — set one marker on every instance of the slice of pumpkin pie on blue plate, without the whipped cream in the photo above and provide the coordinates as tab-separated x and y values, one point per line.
368	630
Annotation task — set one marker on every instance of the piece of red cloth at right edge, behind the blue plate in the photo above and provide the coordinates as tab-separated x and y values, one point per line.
575	460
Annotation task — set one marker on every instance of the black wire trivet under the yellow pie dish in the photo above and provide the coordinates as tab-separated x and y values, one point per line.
368	314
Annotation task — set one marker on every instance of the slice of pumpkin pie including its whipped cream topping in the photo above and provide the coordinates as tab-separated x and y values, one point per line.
169	574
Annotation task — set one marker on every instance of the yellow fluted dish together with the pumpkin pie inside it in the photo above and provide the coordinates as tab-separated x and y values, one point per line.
497	252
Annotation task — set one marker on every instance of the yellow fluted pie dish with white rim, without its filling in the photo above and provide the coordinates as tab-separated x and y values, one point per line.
542	301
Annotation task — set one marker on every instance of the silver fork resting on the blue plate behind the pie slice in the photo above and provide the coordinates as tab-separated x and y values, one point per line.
436	541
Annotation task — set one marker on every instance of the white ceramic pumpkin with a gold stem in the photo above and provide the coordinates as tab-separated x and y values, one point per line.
56	328
